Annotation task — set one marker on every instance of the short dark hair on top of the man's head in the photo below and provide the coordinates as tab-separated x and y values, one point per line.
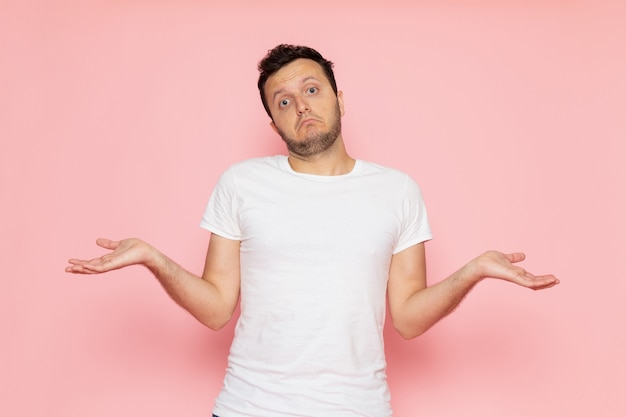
284	54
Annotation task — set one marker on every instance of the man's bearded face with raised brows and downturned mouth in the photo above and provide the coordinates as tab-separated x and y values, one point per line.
305	110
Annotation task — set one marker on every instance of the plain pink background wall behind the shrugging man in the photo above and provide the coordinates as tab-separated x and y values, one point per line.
117	117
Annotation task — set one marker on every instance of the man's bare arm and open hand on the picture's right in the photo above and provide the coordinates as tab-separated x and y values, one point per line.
414	307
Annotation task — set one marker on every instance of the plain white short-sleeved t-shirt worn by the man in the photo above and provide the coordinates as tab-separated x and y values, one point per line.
315	257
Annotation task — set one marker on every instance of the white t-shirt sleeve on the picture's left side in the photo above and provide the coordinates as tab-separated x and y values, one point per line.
222	212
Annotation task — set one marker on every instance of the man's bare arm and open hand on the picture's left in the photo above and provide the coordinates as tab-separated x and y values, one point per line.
211	298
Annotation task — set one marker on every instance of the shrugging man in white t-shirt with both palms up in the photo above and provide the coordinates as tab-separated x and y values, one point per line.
314	243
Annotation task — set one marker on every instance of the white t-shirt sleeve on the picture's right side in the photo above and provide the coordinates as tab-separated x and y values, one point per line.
415	226
